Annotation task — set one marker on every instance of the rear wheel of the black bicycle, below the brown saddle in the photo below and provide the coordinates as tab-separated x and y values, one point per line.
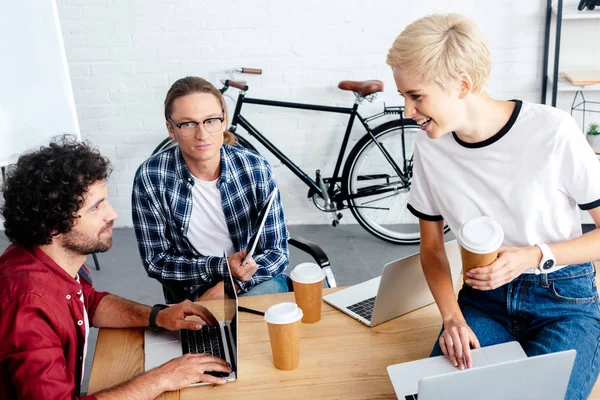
377	195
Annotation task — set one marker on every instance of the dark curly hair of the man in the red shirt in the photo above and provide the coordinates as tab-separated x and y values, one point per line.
45	189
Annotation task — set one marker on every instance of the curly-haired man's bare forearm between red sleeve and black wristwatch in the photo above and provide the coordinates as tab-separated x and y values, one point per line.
117	312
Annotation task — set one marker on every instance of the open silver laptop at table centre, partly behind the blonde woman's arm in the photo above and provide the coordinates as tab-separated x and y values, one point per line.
400	289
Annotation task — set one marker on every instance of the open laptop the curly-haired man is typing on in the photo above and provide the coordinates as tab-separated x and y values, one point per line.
220	341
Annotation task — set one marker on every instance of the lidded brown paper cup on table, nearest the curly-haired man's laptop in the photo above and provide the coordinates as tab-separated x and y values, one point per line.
283	320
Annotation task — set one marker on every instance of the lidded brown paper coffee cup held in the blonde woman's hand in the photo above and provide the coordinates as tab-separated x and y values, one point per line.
480	239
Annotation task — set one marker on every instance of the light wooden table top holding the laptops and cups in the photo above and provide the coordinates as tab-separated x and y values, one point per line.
340	358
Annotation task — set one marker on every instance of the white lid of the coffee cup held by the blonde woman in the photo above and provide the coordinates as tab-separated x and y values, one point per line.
481	235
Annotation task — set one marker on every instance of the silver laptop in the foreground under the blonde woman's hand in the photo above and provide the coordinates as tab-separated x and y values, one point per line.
499	372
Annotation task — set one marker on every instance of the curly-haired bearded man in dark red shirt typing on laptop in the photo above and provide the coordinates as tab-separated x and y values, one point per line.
56	213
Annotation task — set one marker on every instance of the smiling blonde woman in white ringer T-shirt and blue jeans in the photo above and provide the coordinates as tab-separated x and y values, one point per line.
525	165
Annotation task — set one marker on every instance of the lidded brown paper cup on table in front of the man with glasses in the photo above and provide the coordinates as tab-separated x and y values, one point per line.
308	290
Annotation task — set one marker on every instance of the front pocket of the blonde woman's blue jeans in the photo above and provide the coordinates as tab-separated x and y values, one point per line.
577	289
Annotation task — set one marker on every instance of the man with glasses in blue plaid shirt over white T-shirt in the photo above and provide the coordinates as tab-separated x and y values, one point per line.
193	201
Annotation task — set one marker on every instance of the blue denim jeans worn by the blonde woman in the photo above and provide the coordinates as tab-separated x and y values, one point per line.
545	314
